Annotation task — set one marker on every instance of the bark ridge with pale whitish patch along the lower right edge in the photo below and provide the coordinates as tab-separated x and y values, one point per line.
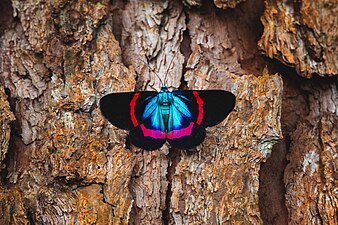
311	174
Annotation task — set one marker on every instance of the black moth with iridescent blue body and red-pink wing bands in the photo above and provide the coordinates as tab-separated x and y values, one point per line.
179	117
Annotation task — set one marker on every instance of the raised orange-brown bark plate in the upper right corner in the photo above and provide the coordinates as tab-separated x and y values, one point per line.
302	34
